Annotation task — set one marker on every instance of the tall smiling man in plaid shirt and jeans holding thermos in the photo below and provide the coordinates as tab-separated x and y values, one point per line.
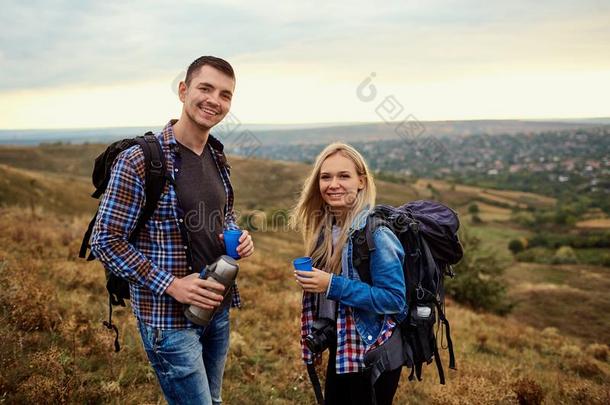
183	235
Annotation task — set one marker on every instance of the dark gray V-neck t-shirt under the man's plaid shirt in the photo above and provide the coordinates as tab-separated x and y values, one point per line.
202	197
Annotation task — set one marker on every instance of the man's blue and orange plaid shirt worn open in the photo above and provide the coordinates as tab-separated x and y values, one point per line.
161	251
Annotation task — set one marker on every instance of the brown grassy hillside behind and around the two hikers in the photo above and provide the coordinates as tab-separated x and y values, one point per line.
552	348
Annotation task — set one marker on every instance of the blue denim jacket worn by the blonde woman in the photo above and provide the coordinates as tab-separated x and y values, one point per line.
372	304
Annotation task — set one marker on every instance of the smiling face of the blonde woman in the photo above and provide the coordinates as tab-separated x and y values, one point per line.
339	182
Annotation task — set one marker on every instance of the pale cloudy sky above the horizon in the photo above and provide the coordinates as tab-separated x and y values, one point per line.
75	63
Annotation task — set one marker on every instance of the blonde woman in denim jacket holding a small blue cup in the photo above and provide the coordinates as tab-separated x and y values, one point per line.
334	203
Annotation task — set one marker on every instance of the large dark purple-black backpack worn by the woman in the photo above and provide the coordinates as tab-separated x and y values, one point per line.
427	231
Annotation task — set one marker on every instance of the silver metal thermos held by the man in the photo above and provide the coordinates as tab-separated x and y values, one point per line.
224	270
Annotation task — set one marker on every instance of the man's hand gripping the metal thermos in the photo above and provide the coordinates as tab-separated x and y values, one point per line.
192	290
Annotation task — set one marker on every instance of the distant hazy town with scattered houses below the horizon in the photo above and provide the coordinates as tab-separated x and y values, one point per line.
559	162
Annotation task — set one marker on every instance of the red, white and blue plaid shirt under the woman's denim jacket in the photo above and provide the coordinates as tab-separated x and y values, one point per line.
351	348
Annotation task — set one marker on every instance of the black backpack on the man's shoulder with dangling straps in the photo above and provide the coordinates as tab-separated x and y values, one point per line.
118	289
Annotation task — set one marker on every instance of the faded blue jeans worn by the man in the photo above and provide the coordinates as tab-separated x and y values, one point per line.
189	363
